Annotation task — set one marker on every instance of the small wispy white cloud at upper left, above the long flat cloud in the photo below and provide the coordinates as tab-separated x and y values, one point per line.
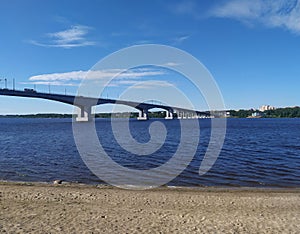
70	38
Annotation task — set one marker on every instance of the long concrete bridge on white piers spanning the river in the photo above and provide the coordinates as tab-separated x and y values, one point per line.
85	104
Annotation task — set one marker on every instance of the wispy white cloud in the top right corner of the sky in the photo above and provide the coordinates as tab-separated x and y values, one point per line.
271	13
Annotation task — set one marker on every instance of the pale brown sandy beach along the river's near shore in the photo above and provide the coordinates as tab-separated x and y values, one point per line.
42	208
